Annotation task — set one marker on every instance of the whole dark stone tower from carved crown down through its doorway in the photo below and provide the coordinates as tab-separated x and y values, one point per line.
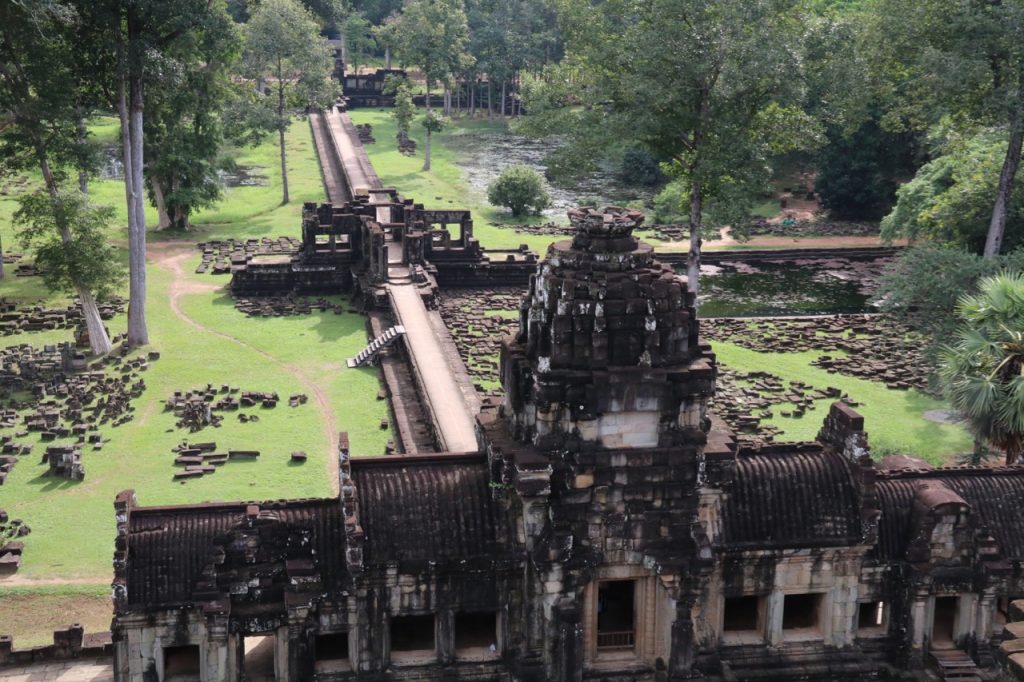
601	448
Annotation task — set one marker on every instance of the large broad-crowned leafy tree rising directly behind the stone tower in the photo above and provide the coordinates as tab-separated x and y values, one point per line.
691	81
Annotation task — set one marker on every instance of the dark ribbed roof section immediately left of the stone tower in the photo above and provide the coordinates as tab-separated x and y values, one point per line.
416	509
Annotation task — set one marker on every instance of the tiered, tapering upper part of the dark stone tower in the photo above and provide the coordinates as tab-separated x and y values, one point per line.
608	350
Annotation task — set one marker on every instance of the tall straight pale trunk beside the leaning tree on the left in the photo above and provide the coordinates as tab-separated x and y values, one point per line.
139	334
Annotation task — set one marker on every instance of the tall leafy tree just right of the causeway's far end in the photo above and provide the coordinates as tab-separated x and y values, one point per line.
433	35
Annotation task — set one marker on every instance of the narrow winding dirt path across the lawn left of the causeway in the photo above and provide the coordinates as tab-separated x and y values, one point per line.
172	257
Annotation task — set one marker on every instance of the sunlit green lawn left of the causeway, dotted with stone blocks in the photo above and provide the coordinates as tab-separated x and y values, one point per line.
202	339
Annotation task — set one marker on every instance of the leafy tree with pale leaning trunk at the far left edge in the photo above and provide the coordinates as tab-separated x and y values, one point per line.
38	86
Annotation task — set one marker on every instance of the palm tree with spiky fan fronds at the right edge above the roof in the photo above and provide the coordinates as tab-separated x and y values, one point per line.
983	372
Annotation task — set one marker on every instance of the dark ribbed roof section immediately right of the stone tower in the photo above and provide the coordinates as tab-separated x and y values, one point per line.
803	497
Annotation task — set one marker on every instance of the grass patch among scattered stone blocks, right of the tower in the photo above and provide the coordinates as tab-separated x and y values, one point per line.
893	418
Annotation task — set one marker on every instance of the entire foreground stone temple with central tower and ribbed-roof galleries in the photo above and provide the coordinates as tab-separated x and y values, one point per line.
608	529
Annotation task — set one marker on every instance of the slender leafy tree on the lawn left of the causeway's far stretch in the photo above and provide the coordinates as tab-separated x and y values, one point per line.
284	48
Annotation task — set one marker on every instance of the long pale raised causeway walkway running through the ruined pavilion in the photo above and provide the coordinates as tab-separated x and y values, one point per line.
438	368
